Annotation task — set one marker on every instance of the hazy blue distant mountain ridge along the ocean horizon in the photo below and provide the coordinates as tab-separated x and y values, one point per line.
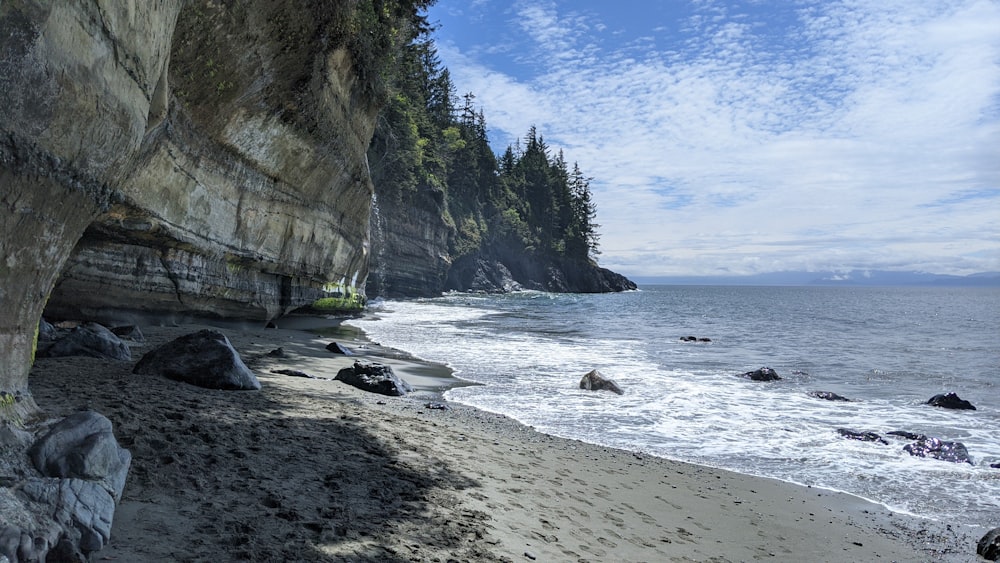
859	278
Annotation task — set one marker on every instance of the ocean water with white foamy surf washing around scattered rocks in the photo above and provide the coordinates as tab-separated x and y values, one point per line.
887	349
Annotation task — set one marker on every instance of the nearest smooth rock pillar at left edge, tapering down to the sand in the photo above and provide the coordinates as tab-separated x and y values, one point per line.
76	80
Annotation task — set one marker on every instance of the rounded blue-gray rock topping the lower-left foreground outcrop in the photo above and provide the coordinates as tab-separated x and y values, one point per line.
82	446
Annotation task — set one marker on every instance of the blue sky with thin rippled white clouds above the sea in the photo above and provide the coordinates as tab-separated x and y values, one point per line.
741	137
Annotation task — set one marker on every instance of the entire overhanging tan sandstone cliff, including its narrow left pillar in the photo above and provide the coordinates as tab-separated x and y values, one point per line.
176	156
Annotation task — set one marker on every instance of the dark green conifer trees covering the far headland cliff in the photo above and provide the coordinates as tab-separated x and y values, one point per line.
430	151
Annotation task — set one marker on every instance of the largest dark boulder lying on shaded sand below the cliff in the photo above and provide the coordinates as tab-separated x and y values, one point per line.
204	358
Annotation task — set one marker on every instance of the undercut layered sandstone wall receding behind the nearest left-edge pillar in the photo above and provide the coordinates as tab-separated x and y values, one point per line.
252	195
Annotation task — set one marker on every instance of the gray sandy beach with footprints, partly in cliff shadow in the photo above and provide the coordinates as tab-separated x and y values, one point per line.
315	470
